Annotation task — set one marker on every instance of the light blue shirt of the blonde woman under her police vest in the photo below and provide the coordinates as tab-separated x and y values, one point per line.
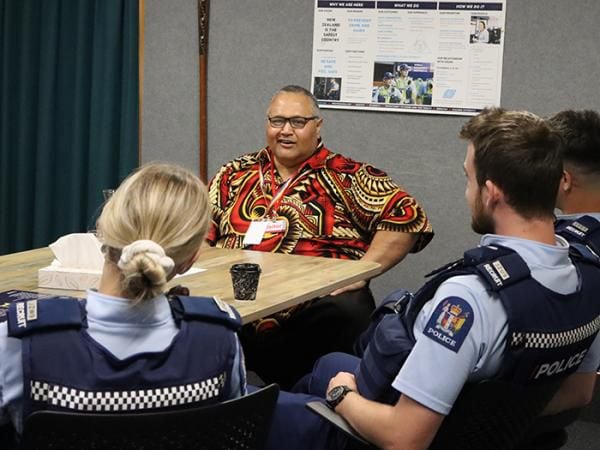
121	328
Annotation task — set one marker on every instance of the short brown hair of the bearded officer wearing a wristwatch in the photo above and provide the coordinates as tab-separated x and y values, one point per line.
520	153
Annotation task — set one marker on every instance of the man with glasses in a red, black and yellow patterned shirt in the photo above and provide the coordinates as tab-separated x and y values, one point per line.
296	196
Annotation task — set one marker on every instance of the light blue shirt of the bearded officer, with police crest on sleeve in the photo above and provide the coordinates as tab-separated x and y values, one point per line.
438	366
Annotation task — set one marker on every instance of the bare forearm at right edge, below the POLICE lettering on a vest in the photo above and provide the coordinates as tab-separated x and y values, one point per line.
575	392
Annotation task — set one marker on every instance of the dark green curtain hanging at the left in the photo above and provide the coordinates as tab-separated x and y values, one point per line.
68	113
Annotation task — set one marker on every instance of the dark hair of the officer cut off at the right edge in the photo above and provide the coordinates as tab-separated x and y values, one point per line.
580	131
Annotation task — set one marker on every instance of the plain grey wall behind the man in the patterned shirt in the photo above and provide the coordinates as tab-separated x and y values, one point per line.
551	62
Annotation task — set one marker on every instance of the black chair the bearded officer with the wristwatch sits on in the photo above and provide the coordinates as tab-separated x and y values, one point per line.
490	415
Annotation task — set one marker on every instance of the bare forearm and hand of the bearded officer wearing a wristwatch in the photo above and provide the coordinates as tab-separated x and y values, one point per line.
408	425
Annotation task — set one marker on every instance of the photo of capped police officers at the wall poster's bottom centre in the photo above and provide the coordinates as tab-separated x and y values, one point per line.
402	82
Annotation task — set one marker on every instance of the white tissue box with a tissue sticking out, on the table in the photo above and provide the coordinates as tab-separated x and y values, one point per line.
77	265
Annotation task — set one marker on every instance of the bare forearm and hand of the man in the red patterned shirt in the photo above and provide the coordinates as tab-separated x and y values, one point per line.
387	248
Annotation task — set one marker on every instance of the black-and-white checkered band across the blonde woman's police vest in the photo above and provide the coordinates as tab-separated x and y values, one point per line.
110	401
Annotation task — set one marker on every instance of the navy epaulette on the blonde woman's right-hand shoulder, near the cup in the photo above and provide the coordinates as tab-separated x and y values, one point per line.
211	309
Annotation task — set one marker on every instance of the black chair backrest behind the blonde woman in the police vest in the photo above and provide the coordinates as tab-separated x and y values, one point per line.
241	423
